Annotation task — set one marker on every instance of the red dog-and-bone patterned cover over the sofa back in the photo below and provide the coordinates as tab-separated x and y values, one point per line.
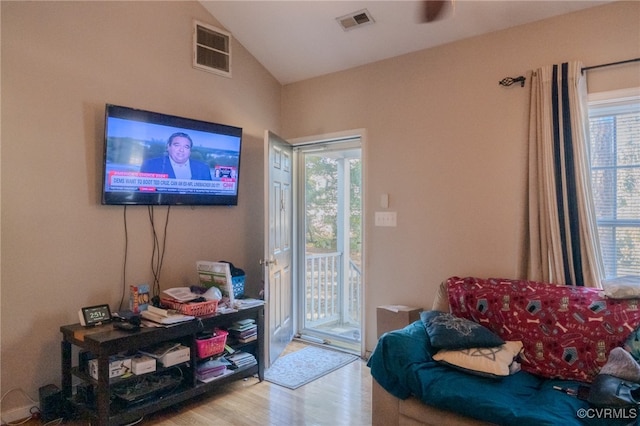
567	332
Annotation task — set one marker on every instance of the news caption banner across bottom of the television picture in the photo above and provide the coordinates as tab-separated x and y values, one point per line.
150	182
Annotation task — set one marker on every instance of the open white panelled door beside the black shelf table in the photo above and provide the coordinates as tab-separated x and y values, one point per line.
278	245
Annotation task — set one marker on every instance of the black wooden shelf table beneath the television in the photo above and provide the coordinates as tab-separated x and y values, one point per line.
104	341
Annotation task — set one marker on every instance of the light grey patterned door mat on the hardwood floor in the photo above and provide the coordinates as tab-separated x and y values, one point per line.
306	365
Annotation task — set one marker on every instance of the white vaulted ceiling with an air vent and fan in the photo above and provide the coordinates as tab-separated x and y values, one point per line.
297	40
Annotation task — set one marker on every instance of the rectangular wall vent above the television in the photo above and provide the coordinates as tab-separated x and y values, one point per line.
211	49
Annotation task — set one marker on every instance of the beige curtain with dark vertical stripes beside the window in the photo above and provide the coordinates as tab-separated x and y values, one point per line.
560	241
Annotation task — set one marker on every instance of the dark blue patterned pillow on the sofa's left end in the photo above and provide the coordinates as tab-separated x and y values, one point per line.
447	331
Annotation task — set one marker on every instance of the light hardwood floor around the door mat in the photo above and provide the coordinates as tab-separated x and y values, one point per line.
342	397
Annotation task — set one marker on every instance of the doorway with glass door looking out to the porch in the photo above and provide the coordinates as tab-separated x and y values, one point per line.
330	294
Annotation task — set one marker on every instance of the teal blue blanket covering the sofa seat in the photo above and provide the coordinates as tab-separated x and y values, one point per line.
401	363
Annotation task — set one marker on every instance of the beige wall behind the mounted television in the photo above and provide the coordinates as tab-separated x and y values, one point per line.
61	249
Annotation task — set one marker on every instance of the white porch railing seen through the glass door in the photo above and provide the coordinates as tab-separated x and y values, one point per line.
330	298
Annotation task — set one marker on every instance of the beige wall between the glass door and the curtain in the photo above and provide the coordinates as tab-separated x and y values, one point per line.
449	145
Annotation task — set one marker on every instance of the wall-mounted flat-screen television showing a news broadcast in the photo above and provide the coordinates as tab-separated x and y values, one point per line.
159	159
